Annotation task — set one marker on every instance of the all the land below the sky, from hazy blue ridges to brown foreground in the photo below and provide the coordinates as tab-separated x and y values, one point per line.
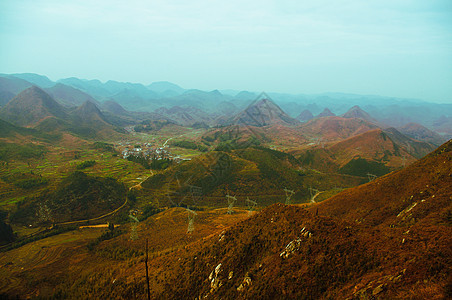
367	200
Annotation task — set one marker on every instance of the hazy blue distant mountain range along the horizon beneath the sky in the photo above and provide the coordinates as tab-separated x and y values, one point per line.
220	108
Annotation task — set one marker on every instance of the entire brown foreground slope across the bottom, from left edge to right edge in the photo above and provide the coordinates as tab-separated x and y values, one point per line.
388	239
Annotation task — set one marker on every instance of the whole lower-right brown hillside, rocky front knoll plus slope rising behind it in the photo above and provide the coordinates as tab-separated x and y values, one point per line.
376	242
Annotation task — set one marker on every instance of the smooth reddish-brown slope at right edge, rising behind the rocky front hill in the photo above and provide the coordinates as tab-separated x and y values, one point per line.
420	193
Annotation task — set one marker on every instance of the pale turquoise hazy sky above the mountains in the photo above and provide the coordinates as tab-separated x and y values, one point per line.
397	48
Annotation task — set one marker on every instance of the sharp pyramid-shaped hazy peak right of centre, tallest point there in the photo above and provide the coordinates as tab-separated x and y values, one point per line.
263	112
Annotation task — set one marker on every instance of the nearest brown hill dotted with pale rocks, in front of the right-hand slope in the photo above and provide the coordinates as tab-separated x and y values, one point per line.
287	252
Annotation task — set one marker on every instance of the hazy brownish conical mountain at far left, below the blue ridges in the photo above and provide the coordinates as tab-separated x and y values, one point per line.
31	106
